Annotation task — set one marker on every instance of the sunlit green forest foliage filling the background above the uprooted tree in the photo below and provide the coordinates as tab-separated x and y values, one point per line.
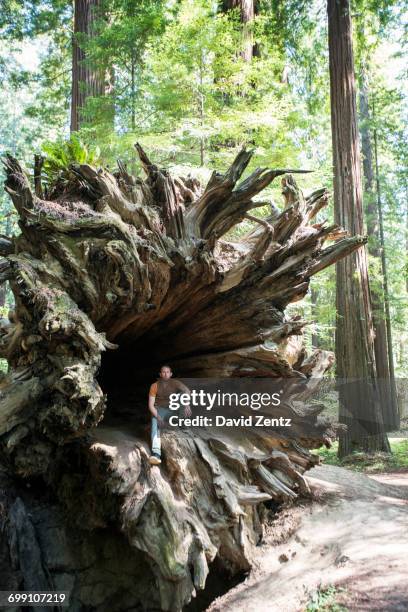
175	79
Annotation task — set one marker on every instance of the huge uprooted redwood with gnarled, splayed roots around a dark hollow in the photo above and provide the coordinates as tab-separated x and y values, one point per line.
141	272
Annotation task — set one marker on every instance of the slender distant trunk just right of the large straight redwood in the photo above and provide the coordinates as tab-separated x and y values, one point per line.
380	299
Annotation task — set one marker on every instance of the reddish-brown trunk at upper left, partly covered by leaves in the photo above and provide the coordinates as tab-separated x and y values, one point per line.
87	80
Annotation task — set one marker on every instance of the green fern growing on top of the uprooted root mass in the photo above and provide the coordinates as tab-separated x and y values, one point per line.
60	155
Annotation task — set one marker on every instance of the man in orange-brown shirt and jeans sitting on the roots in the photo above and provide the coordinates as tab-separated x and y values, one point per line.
159	395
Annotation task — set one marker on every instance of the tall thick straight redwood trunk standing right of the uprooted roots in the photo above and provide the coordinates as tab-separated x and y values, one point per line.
359	406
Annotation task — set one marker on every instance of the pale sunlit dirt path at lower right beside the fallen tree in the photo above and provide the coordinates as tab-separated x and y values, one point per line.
353	535
